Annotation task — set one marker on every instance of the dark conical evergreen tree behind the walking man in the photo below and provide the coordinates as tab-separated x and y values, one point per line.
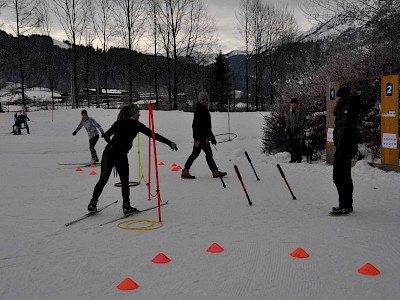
220	86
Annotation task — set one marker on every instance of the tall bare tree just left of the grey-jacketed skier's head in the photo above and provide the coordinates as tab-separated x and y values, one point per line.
73	15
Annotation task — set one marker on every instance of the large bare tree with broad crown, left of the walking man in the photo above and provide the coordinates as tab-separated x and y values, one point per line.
184	28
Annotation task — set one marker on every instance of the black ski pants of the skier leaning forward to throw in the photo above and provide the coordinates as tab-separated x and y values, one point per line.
110	159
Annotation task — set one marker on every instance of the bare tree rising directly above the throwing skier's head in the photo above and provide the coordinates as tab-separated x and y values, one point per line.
130	18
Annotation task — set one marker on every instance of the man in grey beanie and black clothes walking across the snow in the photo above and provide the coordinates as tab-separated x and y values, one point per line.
201	132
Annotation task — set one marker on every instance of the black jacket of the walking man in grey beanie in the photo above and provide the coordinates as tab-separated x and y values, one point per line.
201	123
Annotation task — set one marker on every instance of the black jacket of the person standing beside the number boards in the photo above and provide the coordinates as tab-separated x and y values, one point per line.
345	132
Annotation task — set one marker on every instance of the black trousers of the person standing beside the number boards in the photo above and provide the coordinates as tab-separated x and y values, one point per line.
343	181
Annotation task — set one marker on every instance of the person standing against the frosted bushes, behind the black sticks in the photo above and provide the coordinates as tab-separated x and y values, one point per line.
295	122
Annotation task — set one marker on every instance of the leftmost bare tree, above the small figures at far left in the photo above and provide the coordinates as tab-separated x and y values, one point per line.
27	19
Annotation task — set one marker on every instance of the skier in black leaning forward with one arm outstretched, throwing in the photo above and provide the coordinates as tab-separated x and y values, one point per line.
119	140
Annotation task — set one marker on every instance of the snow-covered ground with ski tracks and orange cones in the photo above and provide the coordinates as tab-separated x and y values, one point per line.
41	259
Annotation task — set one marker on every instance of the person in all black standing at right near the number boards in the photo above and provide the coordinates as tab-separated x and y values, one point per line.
346	146
